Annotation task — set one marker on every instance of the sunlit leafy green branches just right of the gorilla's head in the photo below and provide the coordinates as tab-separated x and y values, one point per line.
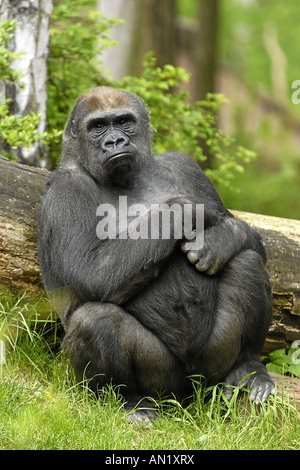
179	124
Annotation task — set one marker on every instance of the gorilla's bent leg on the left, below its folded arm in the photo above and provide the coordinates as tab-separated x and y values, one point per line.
106	344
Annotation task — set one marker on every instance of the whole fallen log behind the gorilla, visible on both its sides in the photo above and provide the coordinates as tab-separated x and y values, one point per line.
21	190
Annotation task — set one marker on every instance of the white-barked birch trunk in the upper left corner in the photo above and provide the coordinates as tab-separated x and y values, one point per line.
31	38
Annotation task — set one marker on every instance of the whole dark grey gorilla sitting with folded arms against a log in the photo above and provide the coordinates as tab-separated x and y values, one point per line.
144	313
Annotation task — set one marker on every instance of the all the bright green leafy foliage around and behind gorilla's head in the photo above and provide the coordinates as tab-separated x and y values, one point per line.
78	36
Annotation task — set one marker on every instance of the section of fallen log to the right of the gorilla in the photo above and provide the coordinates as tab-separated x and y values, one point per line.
282	241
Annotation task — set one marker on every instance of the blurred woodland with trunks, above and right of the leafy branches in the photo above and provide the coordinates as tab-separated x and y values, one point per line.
246	49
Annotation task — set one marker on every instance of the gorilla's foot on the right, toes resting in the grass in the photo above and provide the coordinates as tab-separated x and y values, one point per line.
251	375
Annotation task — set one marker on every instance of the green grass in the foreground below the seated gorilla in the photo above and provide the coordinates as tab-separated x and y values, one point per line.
42	407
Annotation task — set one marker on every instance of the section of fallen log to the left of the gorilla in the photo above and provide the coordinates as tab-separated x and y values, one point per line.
21	190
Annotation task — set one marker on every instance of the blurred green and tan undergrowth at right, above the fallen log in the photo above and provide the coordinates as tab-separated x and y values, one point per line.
250	76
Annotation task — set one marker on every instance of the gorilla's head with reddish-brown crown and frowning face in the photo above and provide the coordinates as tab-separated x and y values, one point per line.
108	134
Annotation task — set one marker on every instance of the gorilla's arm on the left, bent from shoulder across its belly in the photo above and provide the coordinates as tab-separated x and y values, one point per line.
71	254
